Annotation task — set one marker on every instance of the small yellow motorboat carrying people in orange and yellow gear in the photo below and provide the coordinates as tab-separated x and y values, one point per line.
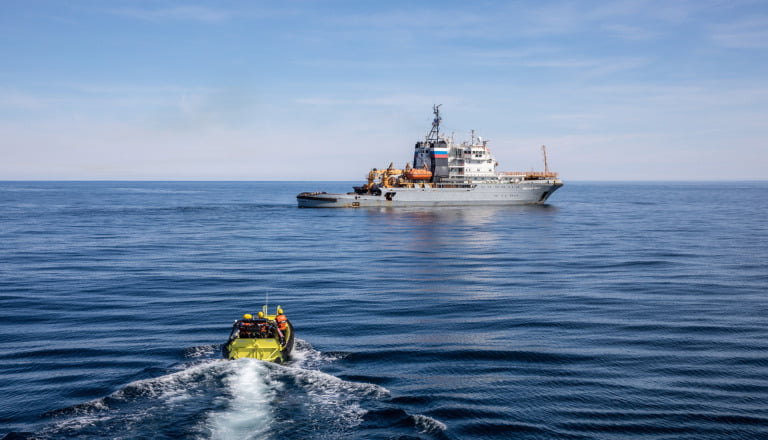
265	337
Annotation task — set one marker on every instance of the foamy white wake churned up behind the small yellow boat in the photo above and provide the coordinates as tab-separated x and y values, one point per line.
209	398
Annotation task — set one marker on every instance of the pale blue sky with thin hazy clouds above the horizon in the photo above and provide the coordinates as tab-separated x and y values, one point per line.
327	90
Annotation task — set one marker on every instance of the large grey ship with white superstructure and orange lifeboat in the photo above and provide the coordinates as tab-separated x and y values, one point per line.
443	174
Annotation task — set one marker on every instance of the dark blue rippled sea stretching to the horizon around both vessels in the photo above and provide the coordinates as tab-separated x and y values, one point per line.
620	311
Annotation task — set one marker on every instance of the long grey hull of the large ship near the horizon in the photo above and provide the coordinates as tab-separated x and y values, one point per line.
521	193
